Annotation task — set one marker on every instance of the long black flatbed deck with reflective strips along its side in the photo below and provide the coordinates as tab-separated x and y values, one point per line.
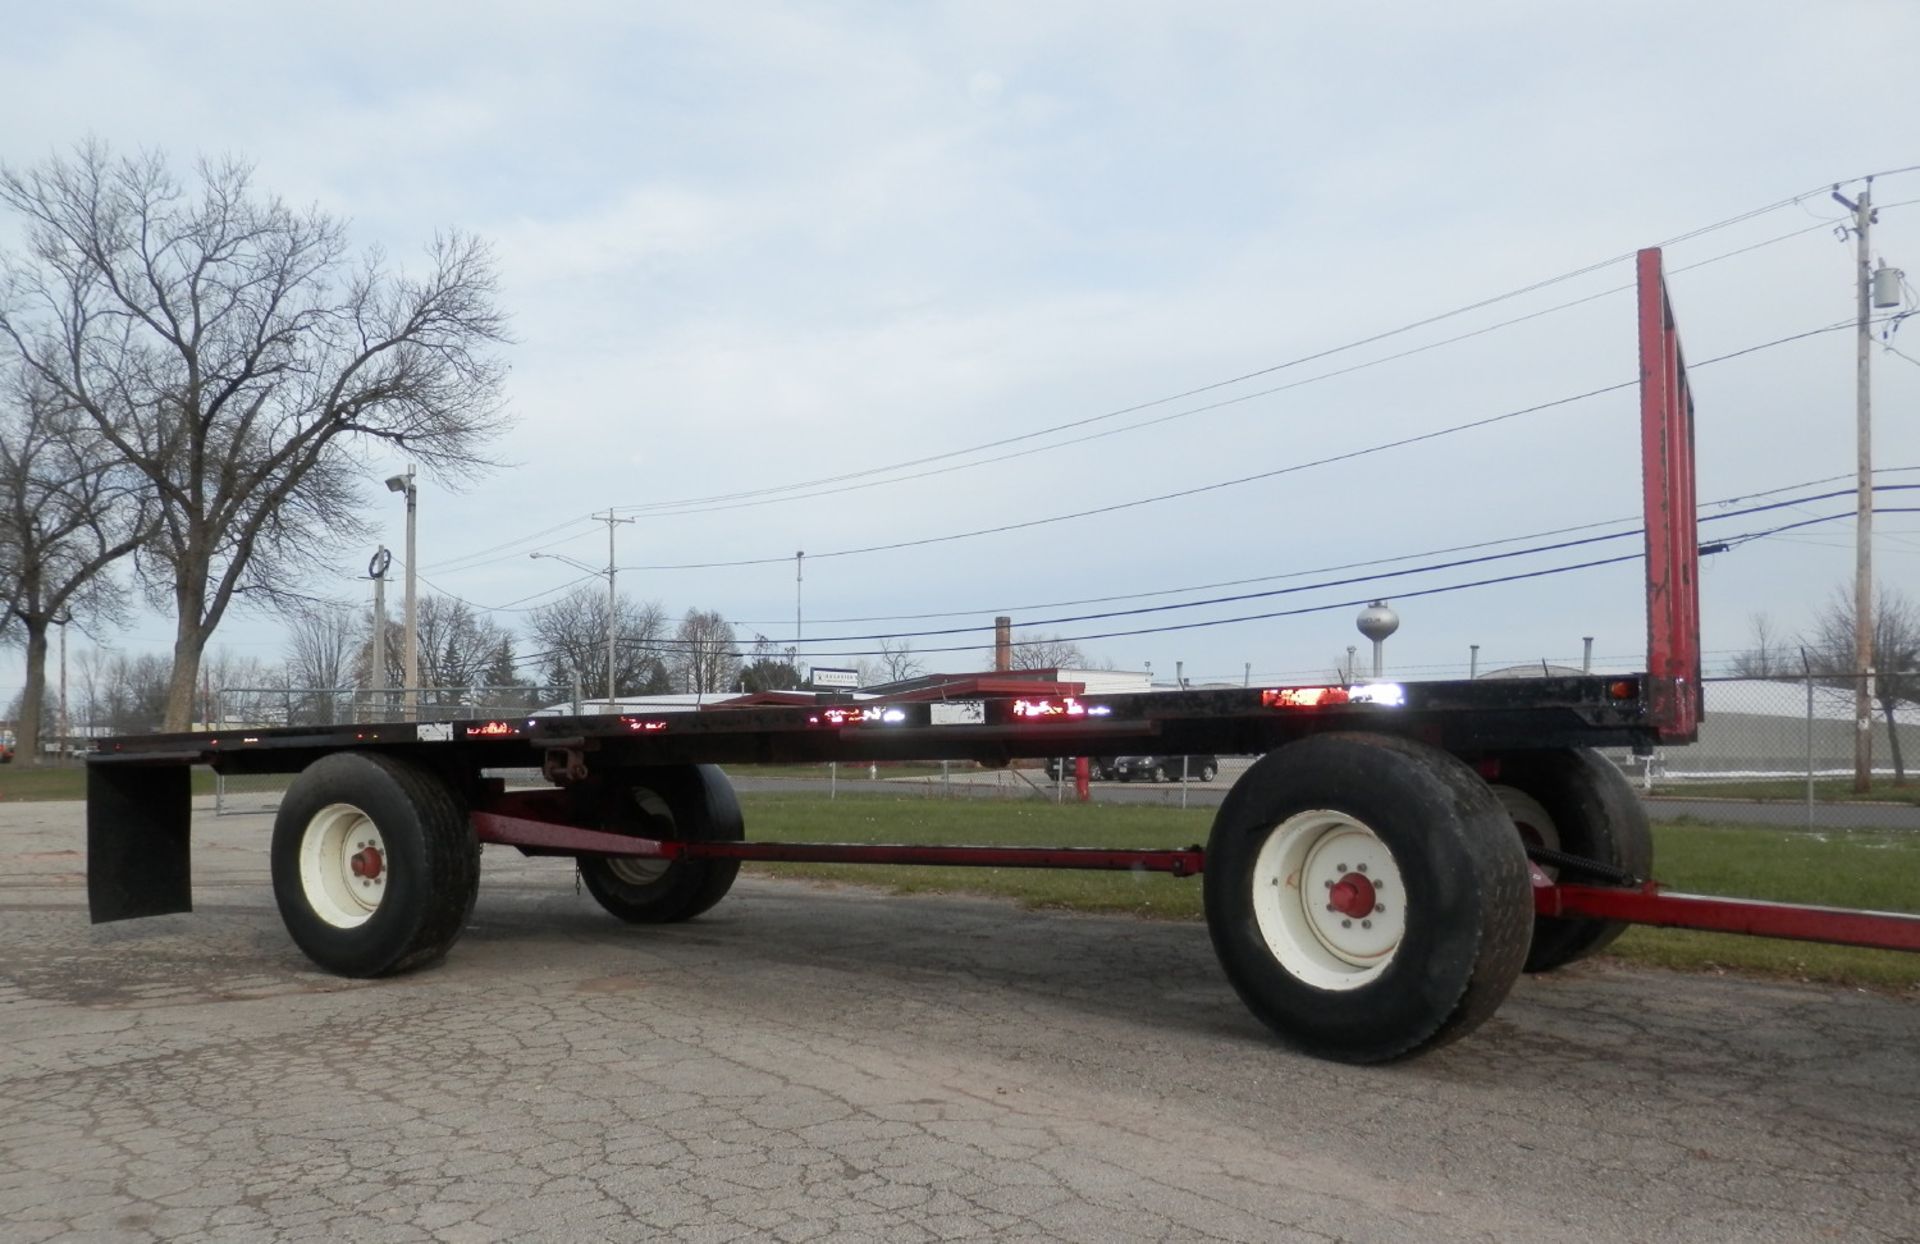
1460	717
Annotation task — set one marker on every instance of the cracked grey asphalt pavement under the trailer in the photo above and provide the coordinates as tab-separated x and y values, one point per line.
836	1065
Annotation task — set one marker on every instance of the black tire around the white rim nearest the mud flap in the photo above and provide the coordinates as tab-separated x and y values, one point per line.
433	865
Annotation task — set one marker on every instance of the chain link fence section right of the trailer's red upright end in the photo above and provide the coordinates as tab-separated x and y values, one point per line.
1783	752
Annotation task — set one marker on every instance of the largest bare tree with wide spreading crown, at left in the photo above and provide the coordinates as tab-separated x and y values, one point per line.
231	350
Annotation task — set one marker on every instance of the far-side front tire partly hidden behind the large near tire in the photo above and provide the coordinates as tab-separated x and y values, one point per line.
1596	815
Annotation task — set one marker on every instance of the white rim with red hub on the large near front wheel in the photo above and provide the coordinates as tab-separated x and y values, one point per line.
1312	880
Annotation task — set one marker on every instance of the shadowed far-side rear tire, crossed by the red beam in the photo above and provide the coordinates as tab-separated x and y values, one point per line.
690	801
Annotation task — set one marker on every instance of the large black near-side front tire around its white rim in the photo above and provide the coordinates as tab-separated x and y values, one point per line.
1470	899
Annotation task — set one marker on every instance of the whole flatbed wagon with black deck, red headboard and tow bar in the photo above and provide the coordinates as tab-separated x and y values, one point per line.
1374	884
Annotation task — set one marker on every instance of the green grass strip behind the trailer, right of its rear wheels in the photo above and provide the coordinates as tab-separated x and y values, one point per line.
1844	869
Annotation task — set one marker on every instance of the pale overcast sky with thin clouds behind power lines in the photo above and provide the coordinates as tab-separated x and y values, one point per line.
759	245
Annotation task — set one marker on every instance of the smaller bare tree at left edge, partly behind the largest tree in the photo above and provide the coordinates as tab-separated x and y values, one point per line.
66	515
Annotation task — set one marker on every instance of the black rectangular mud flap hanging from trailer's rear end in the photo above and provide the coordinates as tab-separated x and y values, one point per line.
137	842
